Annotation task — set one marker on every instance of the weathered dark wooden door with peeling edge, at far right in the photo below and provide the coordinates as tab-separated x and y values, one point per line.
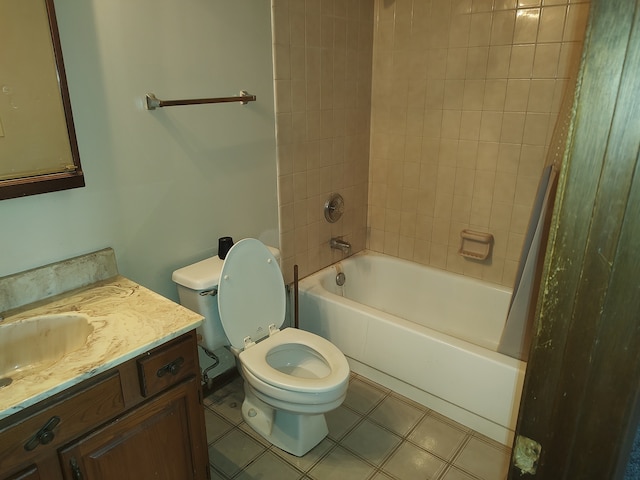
583	374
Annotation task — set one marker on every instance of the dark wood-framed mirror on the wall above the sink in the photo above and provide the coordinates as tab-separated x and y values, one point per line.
38	148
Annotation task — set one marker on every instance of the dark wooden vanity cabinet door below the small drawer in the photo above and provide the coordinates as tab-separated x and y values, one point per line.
150	442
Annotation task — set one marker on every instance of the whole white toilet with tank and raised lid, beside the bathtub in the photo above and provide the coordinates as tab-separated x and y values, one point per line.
291	377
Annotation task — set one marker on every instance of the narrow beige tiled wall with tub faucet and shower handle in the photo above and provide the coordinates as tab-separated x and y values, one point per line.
322	58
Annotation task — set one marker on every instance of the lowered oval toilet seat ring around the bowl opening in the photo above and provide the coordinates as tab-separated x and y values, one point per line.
255	360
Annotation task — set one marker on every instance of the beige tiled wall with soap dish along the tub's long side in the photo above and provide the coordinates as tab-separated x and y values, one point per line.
464	99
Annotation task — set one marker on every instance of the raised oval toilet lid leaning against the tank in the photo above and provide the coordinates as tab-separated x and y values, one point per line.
251	292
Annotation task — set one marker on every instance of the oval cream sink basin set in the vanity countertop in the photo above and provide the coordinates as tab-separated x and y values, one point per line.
38	342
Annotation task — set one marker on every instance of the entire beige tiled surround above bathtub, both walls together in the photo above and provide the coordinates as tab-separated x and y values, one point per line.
447	128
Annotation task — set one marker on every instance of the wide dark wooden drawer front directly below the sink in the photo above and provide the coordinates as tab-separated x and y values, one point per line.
66	417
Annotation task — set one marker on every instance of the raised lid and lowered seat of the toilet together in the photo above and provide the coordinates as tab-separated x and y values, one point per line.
251	303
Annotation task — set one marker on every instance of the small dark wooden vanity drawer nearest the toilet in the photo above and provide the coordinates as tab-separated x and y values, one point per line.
166	366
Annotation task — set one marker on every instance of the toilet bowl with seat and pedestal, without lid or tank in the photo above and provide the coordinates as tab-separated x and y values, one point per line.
290	382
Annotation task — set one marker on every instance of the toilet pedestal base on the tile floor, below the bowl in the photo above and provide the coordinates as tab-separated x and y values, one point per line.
292	432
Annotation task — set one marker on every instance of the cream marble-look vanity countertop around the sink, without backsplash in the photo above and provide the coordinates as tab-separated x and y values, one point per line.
127	320
